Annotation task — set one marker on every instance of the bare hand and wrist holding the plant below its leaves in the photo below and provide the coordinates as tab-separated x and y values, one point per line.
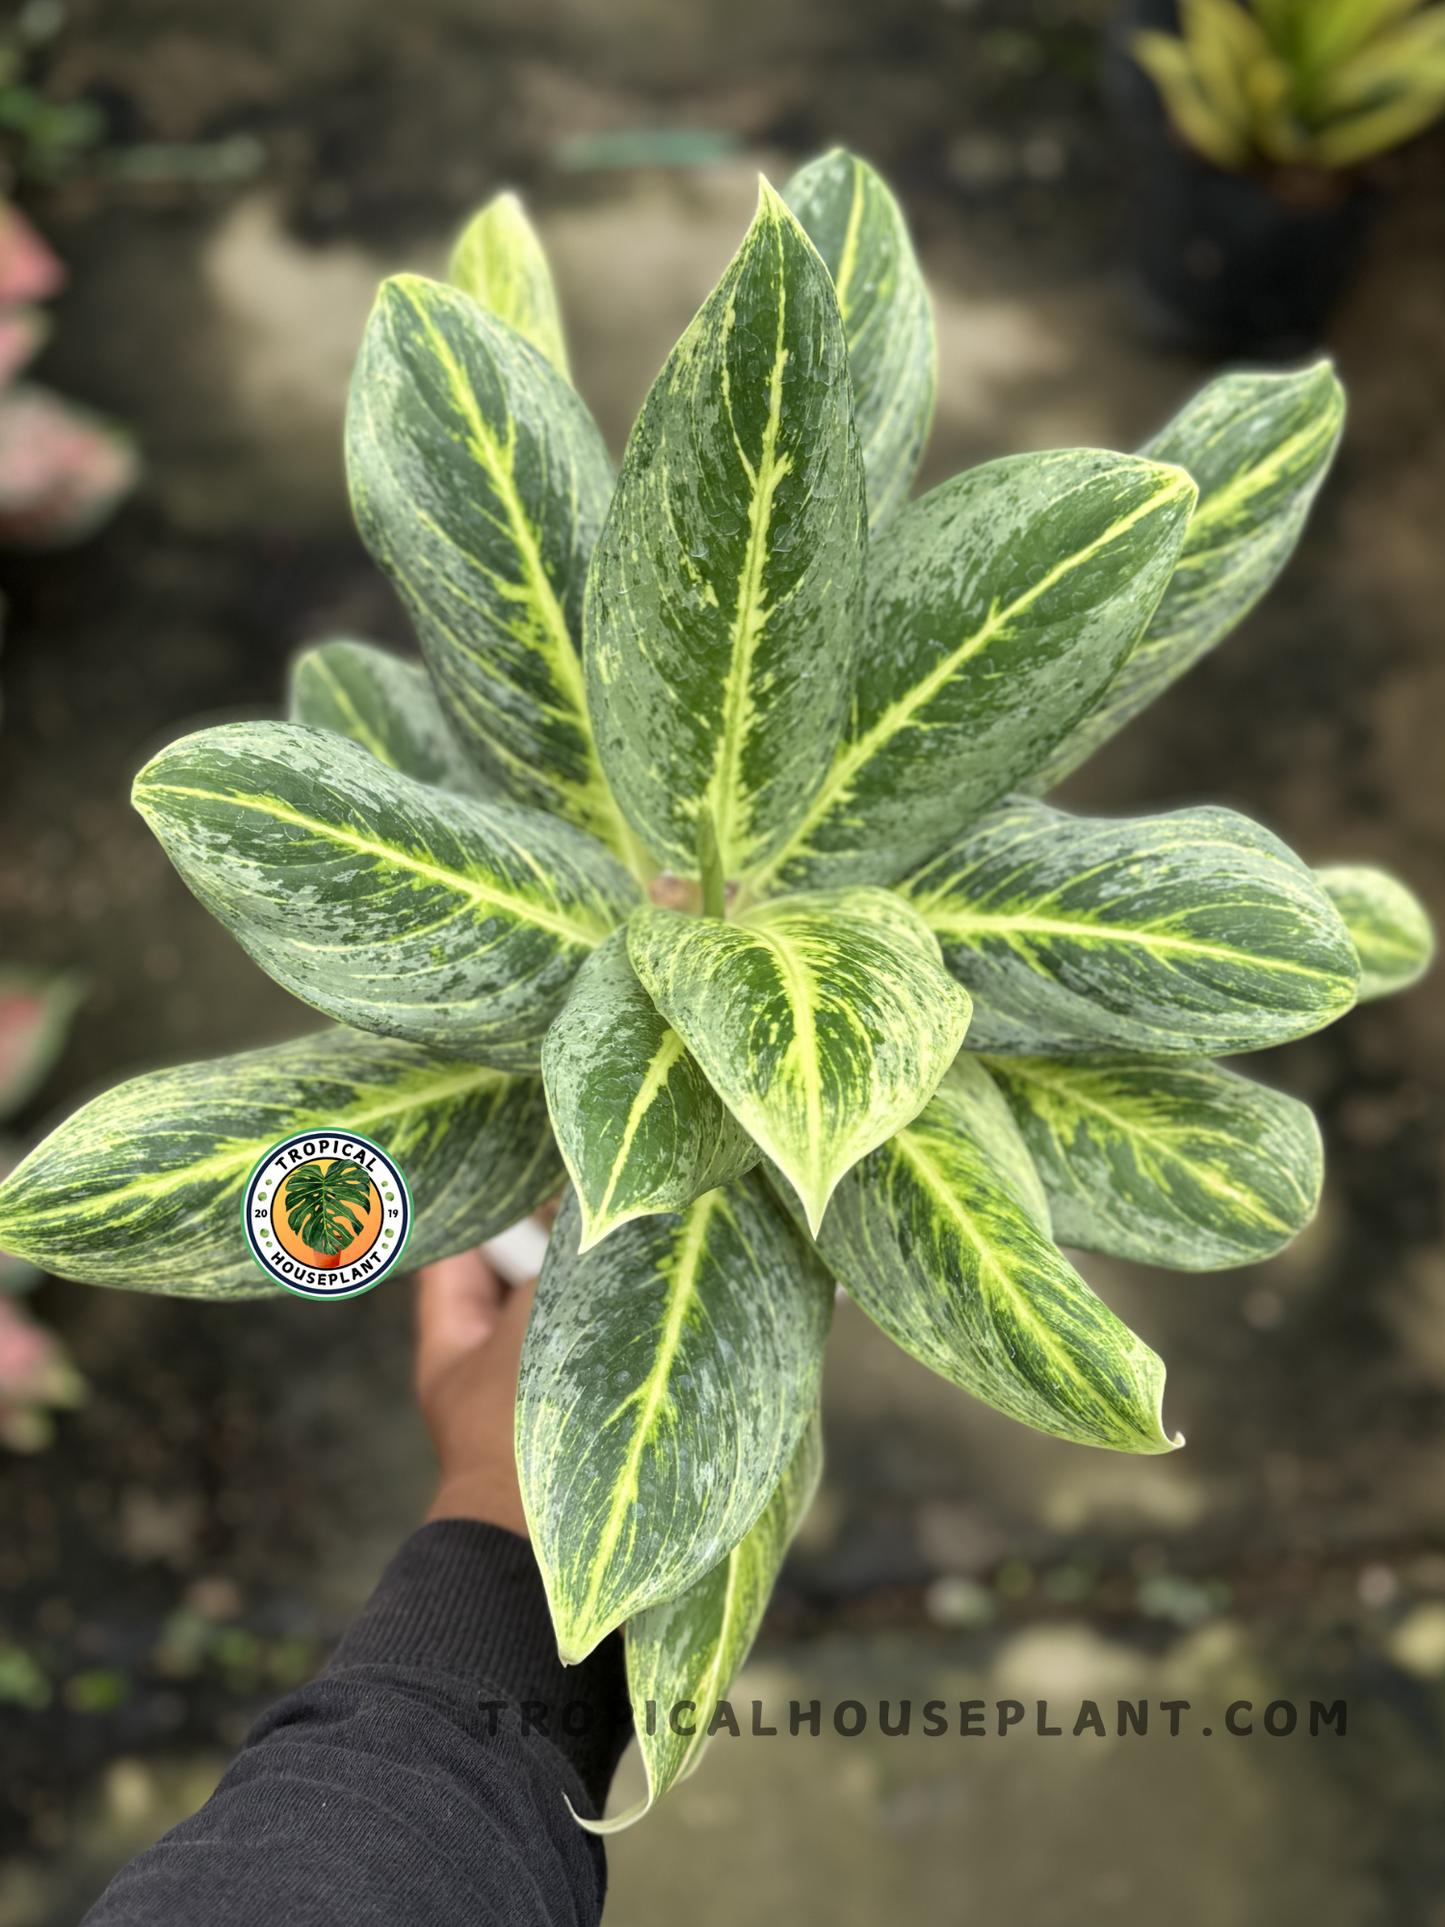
469	1350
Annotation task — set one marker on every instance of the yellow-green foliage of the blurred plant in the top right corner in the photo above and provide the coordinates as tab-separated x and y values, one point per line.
1319	84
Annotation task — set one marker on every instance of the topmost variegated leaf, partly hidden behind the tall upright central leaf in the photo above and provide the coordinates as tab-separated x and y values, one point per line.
860	232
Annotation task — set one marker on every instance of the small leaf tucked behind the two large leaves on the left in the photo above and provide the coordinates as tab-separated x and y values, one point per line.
386	706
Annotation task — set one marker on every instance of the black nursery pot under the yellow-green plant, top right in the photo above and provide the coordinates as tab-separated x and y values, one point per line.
1226	263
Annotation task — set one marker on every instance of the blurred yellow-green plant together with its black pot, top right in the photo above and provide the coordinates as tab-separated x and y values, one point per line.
1257	126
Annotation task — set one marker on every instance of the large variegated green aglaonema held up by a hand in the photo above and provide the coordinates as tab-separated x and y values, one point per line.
914	1028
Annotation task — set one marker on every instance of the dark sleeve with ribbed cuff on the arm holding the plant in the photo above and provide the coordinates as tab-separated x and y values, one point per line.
423	1780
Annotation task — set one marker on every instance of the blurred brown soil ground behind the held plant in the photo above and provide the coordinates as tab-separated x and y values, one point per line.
207	1523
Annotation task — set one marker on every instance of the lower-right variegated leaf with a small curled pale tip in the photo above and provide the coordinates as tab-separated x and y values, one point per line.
945	1248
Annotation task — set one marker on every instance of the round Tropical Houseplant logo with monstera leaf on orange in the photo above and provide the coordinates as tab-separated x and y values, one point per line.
327	1215
